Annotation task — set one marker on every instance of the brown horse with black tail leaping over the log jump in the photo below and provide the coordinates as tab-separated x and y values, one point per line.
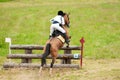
54	44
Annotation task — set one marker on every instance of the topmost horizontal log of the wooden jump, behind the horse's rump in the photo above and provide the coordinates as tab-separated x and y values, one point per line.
39	47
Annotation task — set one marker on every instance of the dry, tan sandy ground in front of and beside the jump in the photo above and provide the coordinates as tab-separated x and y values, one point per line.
93	69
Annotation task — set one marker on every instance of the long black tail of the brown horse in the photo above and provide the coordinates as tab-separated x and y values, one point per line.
46	53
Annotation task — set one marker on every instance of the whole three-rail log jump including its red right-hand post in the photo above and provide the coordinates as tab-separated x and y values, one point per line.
28	56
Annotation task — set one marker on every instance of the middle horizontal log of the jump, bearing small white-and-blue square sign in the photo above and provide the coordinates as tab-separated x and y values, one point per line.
39	56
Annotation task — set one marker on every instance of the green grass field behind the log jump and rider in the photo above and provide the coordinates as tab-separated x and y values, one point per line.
27	22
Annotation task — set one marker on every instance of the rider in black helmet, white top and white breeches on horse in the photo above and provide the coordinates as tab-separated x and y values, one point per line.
57	24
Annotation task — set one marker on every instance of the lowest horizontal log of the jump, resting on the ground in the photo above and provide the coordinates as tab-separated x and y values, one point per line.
31	65
